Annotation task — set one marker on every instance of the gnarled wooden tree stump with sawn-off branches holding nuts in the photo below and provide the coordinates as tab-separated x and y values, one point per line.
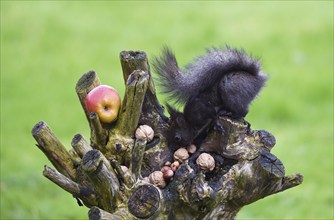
109	173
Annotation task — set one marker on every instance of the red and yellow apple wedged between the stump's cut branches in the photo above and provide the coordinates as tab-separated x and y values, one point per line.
105	101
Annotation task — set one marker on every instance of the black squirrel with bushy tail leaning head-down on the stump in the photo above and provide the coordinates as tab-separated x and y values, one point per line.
223	82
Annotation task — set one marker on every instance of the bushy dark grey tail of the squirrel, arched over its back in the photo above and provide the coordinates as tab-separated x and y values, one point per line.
202	73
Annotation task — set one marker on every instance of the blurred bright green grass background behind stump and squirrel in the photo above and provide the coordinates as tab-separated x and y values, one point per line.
47	45
